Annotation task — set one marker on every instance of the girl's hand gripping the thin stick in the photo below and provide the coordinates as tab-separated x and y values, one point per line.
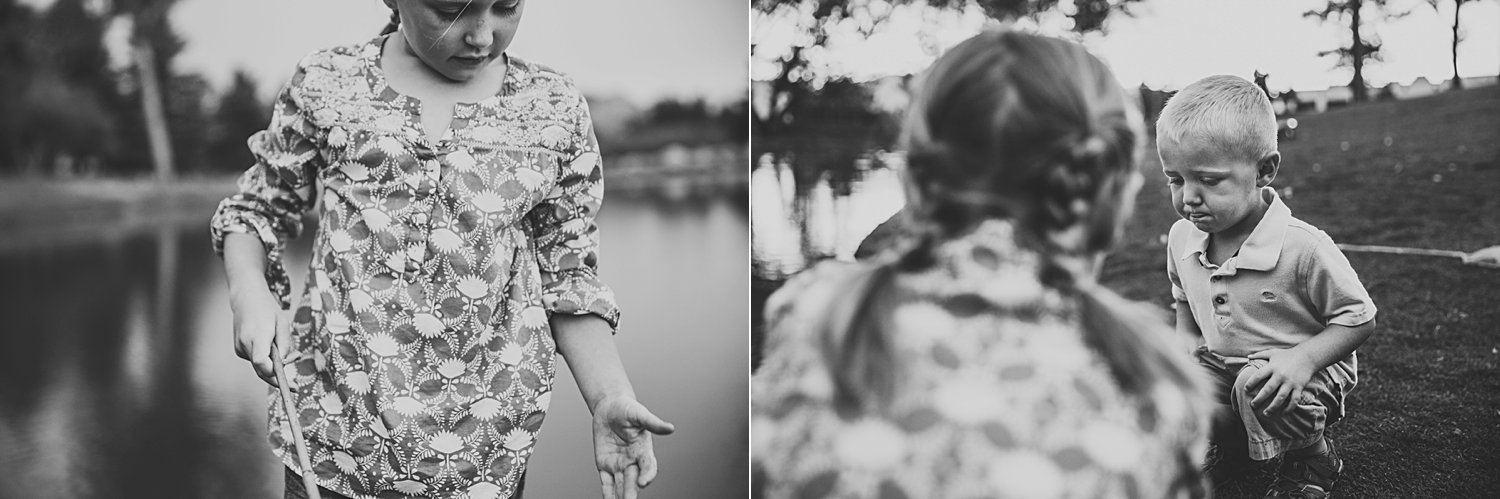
259	327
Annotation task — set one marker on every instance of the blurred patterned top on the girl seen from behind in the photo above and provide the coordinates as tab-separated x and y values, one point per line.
997	393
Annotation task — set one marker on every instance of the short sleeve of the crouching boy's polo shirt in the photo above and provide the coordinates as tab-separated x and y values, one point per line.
1333	287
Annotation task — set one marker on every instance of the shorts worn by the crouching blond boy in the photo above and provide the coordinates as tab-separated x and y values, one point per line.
1268	437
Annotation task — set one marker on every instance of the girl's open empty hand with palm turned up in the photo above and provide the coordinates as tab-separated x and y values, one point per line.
623	446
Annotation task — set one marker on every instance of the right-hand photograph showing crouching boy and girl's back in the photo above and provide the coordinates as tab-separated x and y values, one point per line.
1126	249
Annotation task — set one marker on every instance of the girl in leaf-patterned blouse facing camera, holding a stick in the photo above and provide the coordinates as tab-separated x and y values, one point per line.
457	190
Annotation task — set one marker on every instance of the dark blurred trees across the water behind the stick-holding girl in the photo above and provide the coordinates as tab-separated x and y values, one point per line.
65	112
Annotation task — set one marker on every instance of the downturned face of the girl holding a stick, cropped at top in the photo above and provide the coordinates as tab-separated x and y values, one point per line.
458	38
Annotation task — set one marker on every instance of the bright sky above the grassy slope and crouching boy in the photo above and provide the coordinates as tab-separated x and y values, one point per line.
1169	44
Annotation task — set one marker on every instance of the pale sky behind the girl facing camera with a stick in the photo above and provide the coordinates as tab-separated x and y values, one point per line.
638	50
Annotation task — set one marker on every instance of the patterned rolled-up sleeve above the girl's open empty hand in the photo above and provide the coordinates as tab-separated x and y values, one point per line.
566	235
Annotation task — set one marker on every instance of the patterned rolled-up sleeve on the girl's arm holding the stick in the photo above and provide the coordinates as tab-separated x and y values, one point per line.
277	191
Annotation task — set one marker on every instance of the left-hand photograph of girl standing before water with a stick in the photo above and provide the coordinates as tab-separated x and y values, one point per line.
374	249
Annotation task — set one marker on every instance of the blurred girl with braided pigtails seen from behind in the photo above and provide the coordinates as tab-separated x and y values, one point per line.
983	360
